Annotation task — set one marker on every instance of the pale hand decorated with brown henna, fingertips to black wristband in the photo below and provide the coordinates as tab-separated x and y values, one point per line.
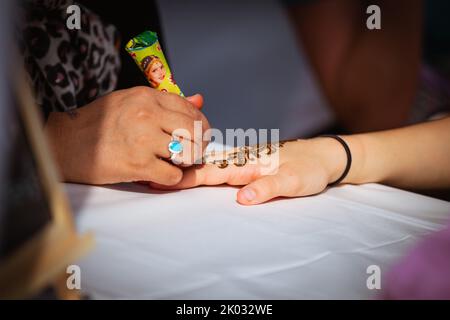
290	169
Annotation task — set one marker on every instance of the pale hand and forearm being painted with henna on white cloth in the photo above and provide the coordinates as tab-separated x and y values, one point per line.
414	157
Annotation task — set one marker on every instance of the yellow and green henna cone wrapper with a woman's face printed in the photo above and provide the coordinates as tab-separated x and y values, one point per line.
147	53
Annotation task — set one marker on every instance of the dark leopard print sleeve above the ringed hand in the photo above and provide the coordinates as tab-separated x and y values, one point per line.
67	68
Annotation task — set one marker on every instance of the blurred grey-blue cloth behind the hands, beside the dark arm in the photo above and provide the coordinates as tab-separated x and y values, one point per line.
244	57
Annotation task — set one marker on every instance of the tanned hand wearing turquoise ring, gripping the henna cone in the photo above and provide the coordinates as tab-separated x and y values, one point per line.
124	137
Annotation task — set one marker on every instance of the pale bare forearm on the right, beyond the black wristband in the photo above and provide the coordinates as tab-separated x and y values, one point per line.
411	157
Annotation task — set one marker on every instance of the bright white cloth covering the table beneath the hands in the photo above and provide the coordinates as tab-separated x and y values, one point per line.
200	243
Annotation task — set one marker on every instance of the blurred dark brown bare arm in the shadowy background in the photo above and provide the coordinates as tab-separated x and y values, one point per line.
369	77
